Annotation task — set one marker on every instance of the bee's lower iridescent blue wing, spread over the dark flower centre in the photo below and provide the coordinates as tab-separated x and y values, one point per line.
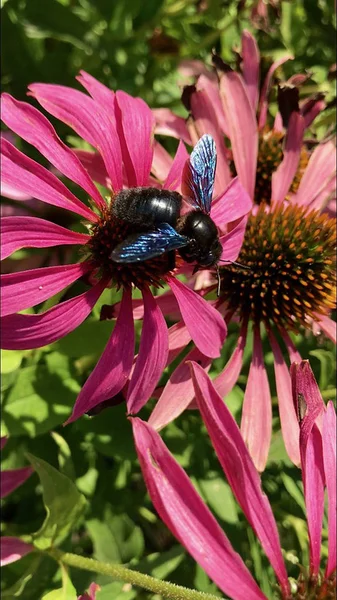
143	246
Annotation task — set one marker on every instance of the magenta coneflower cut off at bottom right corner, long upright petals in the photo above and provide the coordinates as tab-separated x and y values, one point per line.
189	519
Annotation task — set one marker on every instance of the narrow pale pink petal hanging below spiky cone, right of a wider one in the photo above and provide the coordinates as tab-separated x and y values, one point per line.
288	417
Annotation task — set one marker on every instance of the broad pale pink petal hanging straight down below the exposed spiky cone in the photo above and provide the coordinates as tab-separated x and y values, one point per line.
256	411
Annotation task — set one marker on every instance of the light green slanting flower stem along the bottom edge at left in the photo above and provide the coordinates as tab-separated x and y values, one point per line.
120	573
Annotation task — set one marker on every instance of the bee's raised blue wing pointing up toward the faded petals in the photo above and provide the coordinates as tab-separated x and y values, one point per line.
199	174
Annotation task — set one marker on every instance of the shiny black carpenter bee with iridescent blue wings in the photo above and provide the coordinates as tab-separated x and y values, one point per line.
156	215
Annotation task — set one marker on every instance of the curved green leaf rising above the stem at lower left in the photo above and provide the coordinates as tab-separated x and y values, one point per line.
63	503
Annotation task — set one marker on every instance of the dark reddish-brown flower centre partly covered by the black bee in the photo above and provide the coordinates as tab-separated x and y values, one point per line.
106	233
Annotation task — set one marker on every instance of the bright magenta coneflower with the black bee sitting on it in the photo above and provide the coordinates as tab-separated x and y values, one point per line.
120	128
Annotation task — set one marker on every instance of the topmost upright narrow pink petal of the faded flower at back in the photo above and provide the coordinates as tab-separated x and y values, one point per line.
251	67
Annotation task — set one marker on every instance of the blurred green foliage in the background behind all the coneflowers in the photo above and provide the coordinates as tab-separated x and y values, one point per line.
137	46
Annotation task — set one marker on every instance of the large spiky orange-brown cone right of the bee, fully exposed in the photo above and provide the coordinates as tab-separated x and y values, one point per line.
290	278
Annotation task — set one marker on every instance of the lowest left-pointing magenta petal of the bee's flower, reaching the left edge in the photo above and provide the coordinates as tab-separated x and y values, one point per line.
22	332
